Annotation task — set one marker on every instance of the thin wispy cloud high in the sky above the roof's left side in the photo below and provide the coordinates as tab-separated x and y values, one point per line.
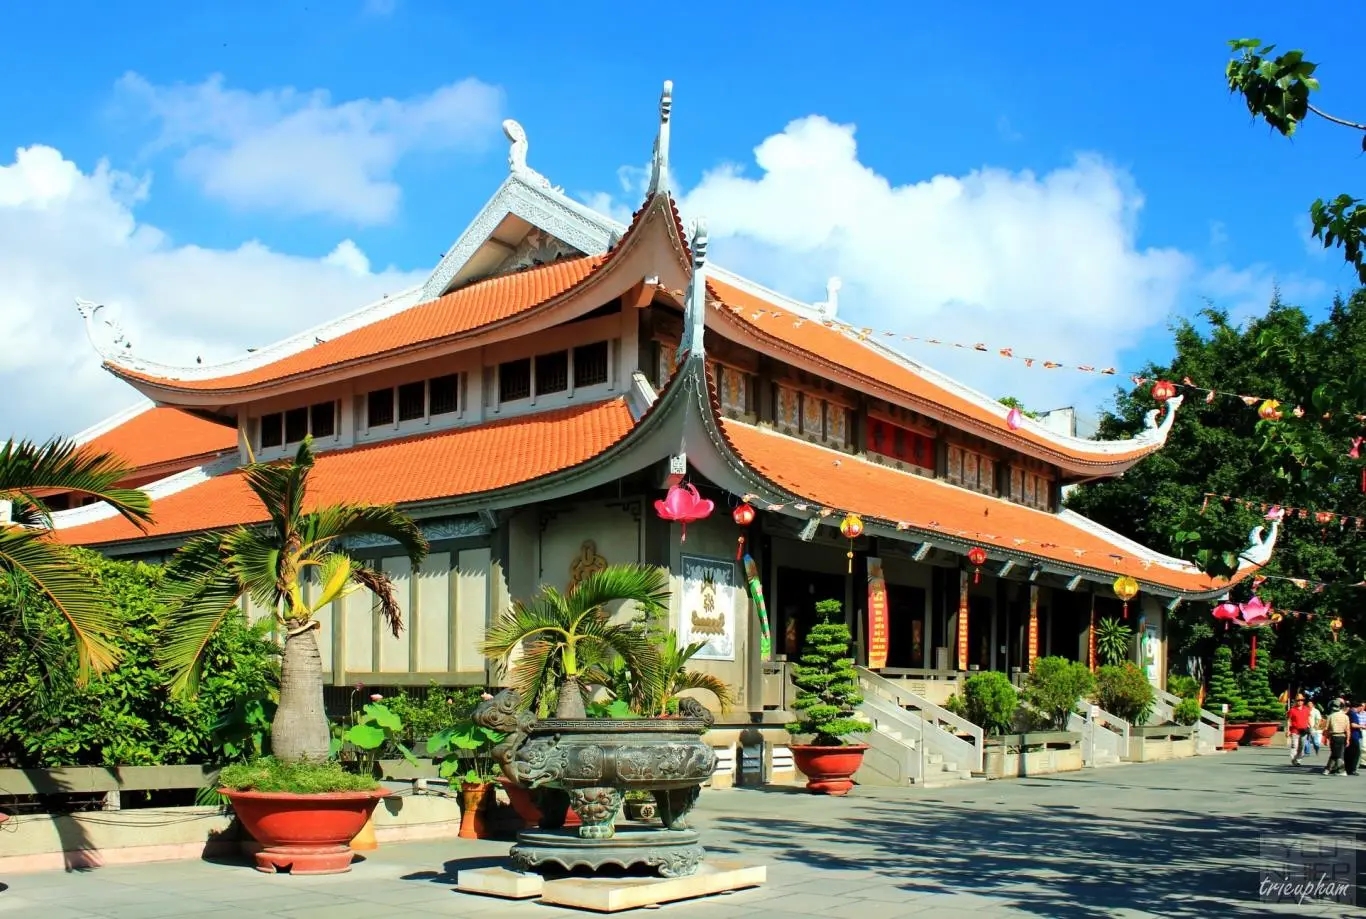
301	154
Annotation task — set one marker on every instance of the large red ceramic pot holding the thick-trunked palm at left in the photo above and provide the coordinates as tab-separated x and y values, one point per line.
304	834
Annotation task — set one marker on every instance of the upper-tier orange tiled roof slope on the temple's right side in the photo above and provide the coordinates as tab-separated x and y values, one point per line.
827	343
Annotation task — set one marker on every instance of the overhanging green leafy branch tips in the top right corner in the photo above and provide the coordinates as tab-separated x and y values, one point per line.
1279	91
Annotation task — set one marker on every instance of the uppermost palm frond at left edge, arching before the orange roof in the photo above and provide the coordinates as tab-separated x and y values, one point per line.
64	466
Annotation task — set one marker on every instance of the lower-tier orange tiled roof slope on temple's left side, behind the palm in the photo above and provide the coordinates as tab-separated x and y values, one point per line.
417	469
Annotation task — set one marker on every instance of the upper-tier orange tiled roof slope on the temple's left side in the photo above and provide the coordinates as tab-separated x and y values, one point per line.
471	308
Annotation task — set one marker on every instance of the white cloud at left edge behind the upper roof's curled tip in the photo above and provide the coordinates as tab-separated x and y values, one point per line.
68	234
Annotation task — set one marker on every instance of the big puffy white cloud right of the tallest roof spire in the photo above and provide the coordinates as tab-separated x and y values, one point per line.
1046	264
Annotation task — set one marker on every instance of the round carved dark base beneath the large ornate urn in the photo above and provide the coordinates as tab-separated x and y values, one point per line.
674	854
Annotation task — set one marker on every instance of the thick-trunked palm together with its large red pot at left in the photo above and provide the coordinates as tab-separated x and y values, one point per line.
303	808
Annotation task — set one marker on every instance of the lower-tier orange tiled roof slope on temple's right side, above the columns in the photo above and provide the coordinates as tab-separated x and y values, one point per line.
849	484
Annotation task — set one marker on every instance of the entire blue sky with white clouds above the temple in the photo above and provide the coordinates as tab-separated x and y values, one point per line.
947	92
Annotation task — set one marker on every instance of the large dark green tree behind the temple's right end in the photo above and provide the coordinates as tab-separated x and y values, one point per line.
1225	447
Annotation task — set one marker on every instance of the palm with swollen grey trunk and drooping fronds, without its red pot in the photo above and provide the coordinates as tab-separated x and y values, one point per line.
214	571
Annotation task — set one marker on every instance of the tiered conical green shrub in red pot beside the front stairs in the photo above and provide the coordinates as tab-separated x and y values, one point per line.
827	694
